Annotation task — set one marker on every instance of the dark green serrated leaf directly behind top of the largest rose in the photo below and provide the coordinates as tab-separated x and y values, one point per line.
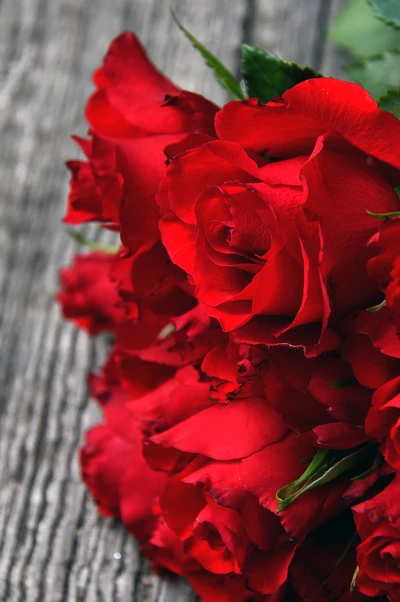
268	75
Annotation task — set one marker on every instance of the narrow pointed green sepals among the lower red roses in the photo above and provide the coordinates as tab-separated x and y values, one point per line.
326	466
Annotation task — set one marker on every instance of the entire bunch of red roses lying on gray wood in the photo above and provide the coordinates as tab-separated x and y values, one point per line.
251	400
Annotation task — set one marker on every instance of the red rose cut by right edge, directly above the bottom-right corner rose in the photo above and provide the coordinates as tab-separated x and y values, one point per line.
383	421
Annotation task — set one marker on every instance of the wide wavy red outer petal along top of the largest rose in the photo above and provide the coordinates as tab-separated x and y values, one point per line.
290	127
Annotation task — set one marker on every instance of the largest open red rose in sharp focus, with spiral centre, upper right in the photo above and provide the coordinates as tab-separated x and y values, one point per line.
268	243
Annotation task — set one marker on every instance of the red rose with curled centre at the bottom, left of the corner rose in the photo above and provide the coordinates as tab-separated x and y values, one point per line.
243	539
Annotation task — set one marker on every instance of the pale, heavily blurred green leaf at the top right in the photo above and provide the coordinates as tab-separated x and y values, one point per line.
358	31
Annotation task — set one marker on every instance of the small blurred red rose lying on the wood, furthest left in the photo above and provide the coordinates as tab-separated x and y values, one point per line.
87	296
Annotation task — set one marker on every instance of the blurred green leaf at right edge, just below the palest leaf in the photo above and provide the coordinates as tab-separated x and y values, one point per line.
377	74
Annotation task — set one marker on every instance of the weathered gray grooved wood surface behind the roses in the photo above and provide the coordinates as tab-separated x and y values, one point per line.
53	545
